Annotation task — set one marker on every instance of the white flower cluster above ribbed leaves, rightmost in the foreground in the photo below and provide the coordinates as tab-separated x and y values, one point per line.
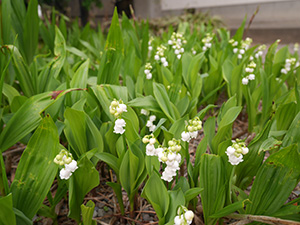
236	151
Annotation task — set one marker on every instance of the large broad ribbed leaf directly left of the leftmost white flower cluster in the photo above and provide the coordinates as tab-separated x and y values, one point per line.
30	187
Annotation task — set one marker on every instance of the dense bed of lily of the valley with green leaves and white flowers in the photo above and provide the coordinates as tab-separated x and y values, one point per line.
134	102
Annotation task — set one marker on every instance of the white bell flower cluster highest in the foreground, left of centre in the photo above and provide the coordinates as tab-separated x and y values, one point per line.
116	108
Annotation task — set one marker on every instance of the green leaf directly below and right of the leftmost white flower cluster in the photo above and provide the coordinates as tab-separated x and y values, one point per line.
84	179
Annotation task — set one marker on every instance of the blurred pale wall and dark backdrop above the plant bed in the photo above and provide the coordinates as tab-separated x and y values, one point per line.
268	20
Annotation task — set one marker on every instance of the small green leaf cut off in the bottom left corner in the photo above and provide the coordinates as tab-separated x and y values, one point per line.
7	215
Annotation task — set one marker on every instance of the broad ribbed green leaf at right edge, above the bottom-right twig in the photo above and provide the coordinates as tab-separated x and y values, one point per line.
274	182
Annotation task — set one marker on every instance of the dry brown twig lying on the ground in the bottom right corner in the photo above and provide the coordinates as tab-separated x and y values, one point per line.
262	219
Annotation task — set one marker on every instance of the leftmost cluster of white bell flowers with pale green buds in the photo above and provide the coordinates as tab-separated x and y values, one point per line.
65	159
